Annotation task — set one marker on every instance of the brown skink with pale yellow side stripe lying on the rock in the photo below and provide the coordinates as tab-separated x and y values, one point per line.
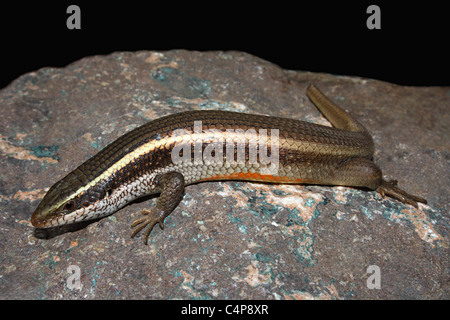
165	155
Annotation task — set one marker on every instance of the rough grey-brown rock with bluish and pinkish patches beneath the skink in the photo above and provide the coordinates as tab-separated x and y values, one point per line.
226	240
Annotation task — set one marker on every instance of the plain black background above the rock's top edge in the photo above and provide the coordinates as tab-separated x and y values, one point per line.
410	49
